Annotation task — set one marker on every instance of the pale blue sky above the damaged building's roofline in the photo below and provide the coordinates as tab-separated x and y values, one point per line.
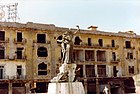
108	15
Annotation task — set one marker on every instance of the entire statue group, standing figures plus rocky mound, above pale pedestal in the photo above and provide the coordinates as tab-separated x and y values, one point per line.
67	69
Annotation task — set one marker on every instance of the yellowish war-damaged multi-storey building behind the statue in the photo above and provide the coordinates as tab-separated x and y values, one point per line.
30	57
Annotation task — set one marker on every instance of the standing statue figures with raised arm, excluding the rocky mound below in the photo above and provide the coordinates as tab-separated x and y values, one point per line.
67	46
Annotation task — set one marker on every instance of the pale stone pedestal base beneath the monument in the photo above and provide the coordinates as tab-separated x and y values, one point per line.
66	88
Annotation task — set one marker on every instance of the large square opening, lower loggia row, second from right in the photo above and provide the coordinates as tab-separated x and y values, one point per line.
90	71
